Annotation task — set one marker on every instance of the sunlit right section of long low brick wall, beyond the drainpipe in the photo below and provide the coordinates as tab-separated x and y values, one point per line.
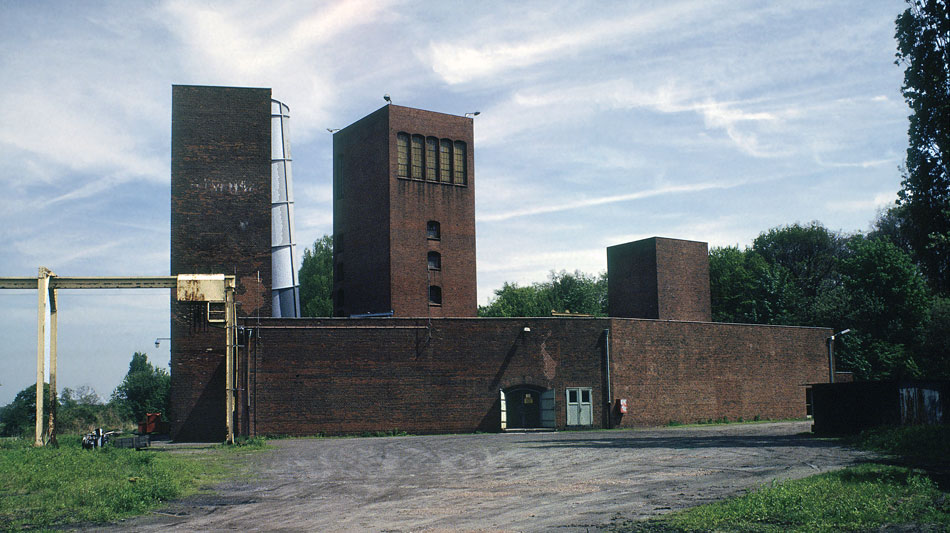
692	371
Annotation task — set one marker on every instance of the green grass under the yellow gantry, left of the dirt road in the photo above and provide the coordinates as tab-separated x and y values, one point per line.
52	487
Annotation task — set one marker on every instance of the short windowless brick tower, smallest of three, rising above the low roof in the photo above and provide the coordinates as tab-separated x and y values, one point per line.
666	279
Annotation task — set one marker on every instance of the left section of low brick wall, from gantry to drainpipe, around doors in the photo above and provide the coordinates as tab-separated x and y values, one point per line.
350	376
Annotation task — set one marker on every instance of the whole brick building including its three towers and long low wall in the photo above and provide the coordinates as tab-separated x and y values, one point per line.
433	367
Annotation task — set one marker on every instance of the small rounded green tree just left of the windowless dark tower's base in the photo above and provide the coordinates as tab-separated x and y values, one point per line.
144	389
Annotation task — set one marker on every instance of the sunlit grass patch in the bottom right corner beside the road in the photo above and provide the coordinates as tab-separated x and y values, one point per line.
853	499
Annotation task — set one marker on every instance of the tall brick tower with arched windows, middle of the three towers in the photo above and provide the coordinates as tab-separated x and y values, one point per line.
404	215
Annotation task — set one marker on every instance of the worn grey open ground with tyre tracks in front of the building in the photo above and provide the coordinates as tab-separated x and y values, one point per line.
568	481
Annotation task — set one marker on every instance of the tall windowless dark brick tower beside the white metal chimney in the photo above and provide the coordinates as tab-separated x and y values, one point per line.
220	223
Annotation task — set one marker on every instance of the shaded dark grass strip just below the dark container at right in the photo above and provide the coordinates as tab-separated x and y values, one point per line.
927	444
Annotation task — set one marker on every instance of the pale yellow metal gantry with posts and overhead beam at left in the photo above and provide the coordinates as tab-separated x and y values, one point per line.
211	288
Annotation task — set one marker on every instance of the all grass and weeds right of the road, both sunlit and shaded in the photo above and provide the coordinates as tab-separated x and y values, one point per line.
858	498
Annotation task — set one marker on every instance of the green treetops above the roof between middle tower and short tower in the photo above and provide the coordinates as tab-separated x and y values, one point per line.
575	292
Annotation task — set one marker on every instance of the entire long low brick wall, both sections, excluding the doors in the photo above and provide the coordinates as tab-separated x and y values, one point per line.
348	376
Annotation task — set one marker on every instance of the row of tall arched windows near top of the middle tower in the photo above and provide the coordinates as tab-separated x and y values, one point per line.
431	159
